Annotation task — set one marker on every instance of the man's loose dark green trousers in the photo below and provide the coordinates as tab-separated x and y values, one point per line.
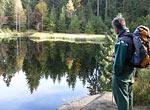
122	90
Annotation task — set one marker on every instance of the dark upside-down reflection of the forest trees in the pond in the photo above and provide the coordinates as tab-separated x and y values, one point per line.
52	60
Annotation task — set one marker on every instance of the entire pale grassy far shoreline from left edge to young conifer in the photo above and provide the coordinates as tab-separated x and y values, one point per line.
62	37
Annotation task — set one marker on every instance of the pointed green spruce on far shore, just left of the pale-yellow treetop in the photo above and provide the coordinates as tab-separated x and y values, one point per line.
62	21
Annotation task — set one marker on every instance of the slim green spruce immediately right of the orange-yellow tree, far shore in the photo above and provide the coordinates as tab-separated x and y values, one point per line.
52	21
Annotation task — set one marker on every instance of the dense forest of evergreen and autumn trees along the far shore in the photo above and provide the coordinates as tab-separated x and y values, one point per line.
71	16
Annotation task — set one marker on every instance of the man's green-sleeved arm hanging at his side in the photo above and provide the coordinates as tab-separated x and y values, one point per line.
121	51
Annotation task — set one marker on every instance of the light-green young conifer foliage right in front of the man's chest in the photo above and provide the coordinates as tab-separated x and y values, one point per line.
104	57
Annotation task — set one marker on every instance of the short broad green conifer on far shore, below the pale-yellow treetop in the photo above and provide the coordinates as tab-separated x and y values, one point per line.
74	26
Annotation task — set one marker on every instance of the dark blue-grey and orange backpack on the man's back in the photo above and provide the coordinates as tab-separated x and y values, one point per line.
141	41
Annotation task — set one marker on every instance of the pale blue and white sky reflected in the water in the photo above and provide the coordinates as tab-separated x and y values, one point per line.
48	96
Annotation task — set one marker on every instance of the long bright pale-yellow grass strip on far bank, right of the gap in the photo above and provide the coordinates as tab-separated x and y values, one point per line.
77	38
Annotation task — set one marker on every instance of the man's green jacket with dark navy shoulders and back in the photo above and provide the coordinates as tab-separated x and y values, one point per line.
124	50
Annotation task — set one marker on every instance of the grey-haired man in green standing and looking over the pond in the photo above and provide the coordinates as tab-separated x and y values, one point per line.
122	78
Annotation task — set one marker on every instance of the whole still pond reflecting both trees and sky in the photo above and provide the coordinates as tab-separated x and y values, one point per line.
45	75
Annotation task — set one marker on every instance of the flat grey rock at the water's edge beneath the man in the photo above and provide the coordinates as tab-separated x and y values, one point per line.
96	102
